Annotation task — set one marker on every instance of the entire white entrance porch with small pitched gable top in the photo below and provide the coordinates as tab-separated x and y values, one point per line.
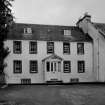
52	68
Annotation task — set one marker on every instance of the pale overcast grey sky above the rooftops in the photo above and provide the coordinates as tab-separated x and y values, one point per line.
57	12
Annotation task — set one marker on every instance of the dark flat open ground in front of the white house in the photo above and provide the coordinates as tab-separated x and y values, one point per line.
54	94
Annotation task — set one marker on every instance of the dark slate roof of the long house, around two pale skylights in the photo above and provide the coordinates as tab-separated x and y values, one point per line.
46	33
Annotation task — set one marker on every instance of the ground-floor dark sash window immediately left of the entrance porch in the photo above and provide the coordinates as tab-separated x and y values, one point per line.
33	69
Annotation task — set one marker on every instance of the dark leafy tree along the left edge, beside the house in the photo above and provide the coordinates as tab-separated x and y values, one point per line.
6	18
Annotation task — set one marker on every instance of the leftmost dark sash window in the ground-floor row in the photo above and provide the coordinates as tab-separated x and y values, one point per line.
19	62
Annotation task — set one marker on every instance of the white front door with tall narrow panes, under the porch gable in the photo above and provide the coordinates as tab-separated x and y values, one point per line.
53	70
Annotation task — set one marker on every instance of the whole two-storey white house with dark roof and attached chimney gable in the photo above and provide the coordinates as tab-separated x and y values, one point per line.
52	53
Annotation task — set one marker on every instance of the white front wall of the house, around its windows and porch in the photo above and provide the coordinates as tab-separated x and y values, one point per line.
42	53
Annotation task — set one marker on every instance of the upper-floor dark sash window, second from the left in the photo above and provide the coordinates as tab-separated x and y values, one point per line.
32	47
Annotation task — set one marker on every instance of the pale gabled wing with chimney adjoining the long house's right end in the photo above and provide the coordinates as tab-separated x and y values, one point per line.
97	32
